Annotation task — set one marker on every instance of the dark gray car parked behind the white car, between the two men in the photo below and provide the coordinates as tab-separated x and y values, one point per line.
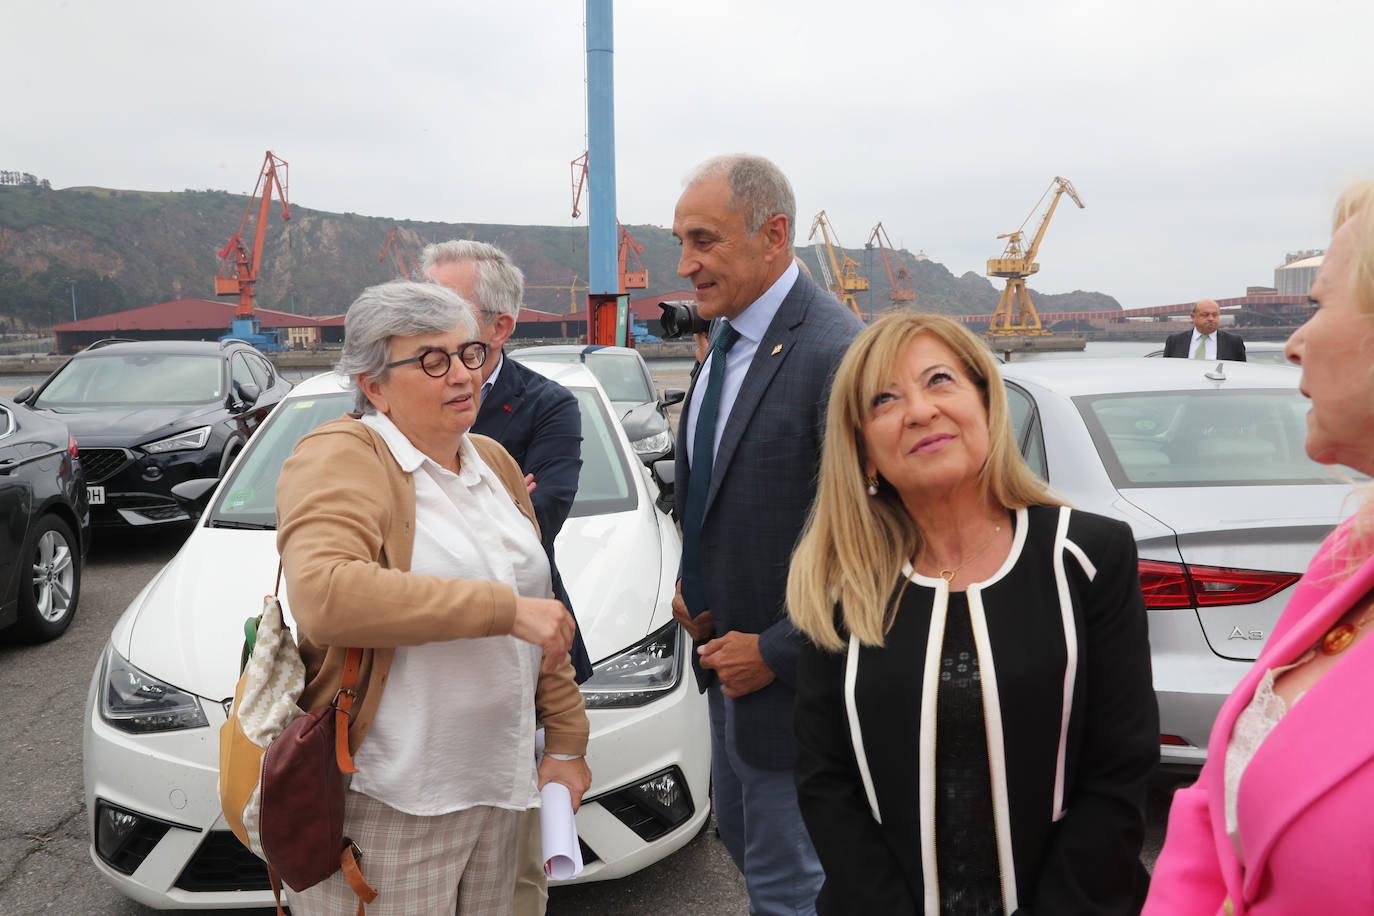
624	374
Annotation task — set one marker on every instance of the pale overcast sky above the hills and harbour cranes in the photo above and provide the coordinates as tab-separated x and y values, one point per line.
1204	138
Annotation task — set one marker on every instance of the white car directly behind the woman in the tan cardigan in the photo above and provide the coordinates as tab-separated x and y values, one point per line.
160	691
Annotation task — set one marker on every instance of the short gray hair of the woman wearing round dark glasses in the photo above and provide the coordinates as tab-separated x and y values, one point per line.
401	308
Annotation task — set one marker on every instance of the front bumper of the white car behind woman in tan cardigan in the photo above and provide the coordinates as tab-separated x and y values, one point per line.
193	862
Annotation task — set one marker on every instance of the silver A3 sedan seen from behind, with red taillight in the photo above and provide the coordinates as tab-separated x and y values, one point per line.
1206	462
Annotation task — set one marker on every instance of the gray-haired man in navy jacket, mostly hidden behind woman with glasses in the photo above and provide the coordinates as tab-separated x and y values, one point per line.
539	424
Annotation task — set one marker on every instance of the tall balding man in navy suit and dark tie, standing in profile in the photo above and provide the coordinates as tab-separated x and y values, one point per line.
748	451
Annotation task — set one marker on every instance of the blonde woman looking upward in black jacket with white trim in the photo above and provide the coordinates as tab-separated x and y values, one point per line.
975	715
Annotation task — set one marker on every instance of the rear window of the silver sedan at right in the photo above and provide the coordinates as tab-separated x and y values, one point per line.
1206	439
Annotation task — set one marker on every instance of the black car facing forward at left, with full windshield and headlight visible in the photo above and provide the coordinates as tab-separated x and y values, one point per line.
149	415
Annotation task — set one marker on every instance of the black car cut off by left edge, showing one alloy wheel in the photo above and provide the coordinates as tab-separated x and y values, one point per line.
45	524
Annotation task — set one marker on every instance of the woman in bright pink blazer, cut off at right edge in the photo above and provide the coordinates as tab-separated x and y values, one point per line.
1281	819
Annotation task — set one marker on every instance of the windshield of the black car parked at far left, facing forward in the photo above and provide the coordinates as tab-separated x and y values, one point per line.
135	380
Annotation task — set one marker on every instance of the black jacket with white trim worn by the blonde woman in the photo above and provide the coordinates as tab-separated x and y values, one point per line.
1071	719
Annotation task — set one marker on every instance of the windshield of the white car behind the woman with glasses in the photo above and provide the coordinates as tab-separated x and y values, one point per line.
248	498
